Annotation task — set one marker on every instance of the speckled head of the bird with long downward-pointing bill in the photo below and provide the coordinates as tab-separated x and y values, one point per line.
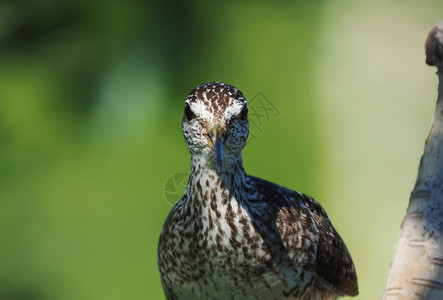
215	122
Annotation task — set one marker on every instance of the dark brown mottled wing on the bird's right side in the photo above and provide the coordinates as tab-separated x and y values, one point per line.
299	214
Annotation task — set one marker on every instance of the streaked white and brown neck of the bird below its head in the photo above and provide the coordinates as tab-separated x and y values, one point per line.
233	182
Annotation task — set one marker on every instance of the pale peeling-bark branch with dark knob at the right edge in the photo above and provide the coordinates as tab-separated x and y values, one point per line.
417	268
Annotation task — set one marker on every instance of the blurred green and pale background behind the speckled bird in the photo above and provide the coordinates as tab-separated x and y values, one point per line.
91	100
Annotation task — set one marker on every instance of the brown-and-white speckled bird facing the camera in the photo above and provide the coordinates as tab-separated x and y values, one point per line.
236	236
